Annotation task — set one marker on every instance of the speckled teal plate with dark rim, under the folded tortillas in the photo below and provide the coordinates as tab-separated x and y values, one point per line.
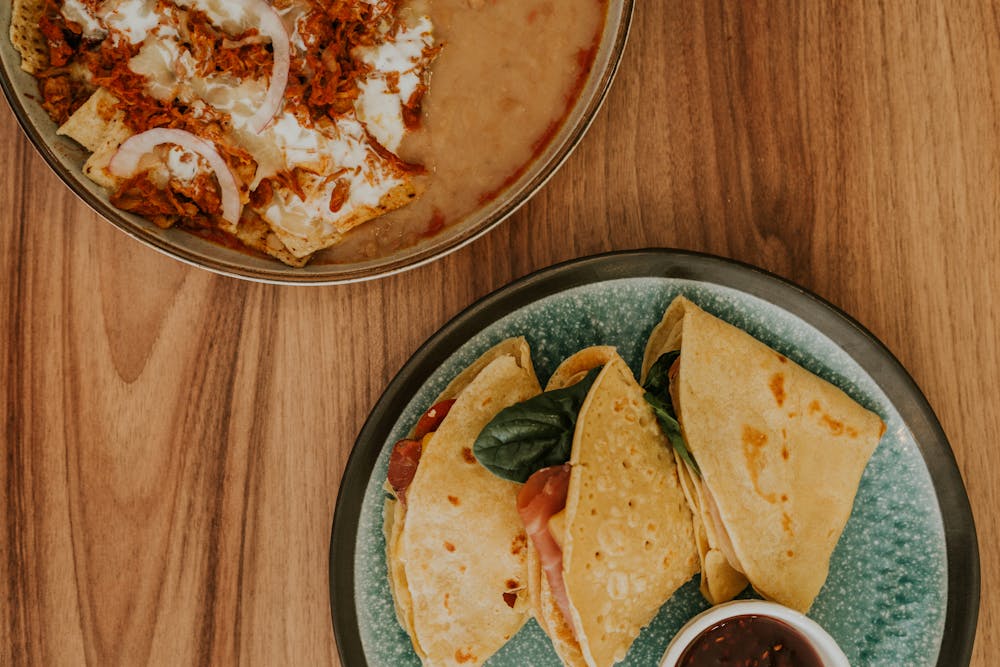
903	587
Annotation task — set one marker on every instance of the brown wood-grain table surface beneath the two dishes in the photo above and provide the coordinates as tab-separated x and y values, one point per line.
173	441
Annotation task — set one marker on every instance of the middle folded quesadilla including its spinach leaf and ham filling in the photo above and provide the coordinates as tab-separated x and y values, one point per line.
611	533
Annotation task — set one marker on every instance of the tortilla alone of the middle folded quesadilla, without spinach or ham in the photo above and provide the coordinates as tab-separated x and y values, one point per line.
626	532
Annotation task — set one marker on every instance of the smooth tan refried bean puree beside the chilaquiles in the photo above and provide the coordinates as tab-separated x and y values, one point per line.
507	74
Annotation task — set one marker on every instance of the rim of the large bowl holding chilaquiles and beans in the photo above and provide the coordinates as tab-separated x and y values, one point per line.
542	168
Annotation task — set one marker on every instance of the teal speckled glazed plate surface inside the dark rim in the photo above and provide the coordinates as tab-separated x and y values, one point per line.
884	601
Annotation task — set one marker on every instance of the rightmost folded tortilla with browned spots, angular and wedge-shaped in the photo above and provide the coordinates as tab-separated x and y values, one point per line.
781	453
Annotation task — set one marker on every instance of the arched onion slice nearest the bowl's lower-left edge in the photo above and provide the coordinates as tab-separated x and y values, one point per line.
125	162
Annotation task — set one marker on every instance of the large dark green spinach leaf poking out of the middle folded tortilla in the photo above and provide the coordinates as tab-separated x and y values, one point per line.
534	434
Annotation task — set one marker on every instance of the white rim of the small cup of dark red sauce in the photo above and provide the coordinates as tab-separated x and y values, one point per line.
827	648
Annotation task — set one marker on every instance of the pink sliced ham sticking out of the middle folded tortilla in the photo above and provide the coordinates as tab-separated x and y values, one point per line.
543	495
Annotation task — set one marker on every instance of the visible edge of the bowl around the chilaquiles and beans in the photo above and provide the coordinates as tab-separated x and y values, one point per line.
66	158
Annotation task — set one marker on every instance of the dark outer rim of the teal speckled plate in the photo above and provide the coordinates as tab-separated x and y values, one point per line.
961	544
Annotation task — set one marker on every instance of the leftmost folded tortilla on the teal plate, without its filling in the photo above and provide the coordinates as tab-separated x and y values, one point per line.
459	544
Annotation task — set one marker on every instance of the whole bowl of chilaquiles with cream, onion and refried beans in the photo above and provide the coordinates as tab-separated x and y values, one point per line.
308	141
